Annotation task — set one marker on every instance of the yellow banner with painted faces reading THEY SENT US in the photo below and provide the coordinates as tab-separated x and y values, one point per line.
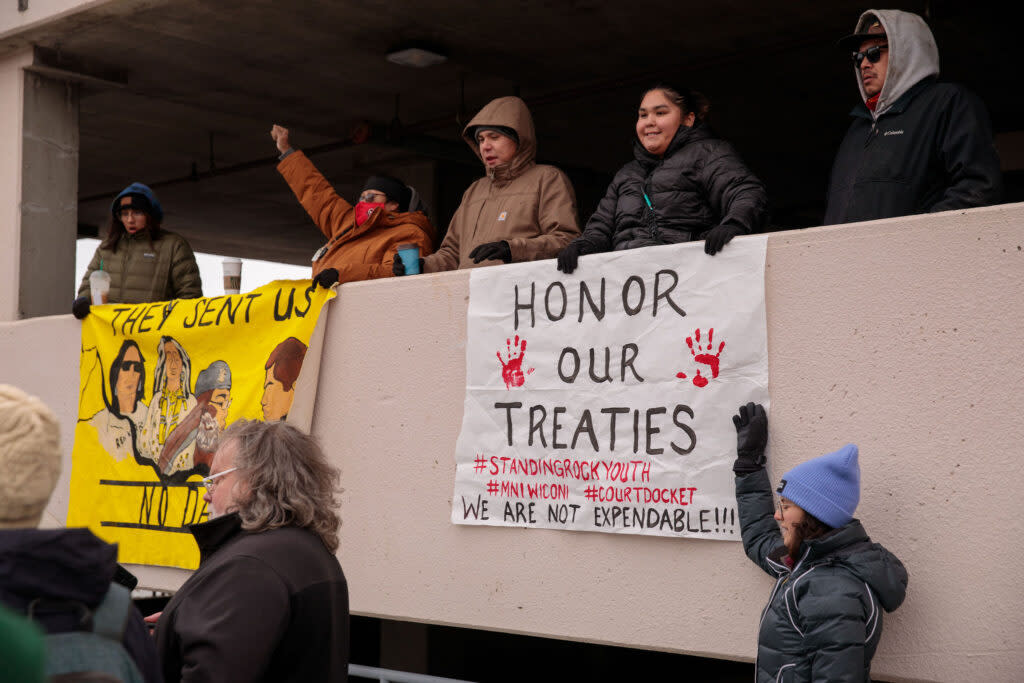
159	382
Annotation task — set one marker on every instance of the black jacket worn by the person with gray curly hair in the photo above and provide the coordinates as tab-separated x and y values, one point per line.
267	607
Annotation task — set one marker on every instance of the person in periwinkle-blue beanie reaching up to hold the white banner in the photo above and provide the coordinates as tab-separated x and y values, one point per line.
824	620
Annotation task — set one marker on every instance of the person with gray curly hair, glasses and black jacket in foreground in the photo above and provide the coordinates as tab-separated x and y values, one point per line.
270	602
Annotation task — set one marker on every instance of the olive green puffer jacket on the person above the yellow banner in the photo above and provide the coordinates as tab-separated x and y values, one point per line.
143	272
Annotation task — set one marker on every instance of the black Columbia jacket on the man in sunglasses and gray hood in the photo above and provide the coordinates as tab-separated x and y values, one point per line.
931	151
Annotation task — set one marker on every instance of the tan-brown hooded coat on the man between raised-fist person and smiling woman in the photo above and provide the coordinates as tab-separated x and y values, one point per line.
531	206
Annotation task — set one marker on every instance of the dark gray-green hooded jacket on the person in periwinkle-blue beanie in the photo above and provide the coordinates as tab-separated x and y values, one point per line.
824	620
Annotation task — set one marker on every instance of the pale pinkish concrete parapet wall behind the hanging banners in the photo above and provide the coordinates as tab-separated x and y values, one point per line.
902	335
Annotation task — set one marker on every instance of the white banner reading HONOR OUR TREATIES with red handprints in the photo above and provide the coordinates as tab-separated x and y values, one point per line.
604	401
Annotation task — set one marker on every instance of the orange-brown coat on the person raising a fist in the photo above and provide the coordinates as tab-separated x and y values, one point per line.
359	252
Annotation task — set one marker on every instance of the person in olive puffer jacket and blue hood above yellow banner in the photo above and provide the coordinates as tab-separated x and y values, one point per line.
146	263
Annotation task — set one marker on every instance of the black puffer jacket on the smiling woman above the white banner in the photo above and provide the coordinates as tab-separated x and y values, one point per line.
700	183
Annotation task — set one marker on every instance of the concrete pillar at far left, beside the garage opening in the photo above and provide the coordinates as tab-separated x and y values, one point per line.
38	191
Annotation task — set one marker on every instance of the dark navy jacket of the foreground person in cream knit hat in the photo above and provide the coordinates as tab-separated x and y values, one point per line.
68	566
